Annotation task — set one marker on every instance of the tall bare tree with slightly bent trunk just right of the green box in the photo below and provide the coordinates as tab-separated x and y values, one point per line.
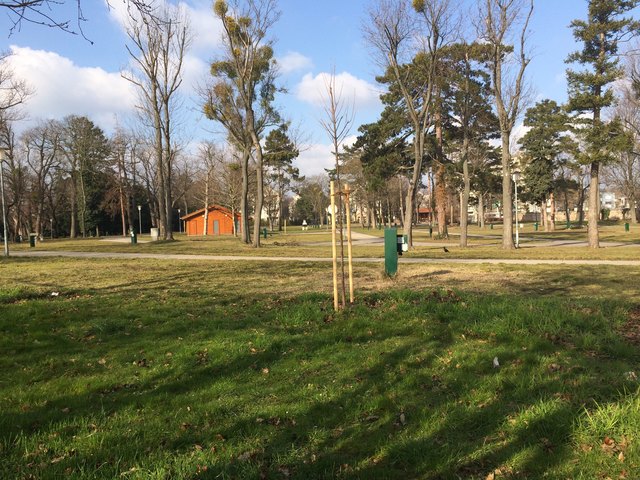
398	37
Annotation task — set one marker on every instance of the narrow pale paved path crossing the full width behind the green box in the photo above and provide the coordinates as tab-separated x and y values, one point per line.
228	258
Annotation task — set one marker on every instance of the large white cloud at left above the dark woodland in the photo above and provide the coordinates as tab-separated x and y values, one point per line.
63	88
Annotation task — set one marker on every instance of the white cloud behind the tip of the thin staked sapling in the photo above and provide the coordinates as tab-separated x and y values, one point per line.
313	90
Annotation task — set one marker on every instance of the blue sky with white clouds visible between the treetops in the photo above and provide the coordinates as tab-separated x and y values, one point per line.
74	75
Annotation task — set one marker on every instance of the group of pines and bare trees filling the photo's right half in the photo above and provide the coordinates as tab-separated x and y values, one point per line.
450	95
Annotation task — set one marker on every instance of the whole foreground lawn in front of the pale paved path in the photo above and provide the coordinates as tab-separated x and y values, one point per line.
159	369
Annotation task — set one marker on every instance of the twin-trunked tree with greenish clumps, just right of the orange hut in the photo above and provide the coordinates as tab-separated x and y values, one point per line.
241	98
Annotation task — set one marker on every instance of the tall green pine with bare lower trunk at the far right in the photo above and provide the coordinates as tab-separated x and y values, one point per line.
590	89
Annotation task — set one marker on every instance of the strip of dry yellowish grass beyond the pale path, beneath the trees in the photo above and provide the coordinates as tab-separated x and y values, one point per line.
483	244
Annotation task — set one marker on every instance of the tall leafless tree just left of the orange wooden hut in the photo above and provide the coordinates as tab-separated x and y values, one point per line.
158	44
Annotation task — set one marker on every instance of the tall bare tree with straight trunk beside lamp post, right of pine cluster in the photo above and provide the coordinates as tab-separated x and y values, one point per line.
499	23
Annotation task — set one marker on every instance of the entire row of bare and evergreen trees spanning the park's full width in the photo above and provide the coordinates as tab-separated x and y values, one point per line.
450	97
